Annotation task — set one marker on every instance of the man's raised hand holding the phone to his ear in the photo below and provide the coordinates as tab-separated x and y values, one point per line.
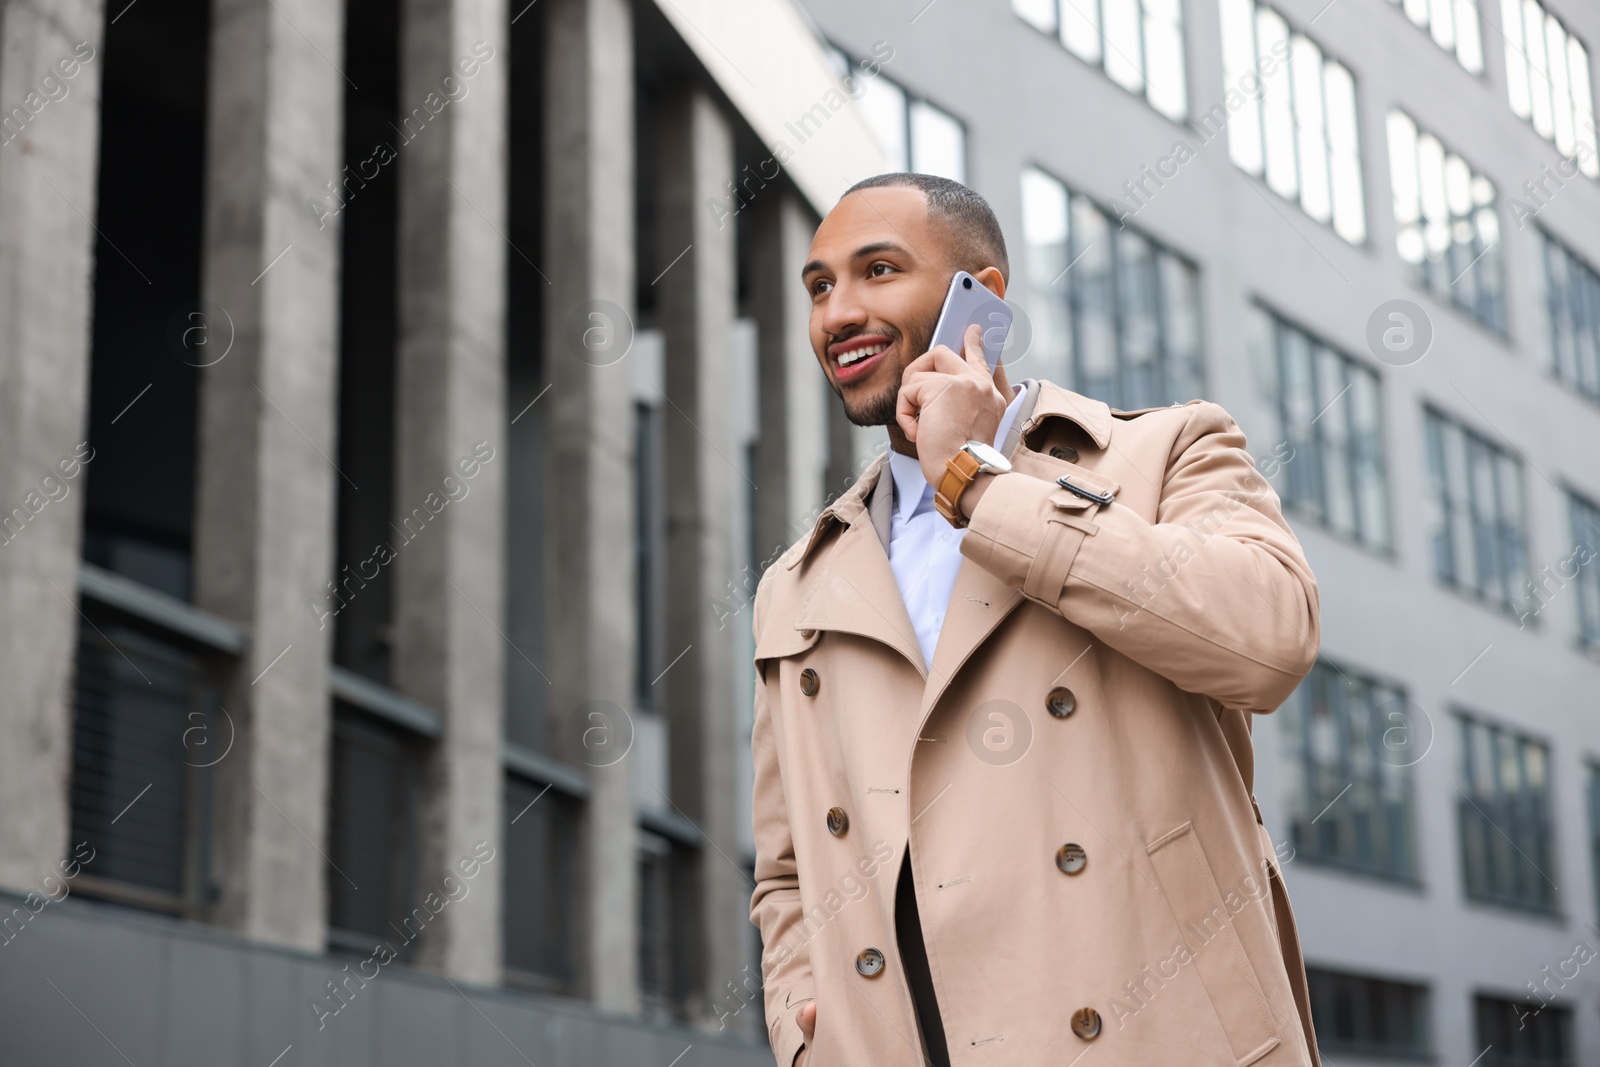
948	401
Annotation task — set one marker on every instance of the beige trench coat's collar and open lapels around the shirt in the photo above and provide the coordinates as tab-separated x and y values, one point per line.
854	589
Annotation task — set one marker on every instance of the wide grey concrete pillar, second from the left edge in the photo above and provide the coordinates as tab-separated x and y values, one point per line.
265	513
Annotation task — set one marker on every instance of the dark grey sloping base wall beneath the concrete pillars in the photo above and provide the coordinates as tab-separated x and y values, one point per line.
84	983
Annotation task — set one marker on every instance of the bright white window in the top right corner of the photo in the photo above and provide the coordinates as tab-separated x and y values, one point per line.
1548	81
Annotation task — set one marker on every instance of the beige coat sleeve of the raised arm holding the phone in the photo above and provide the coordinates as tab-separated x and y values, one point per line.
1214	596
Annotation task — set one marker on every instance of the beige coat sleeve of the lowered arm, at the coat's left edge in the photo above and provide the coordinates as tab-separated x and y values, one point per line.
775	906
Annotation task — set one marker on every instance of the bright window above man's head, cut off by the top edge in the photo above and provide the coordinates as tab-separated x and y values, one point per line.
1138	44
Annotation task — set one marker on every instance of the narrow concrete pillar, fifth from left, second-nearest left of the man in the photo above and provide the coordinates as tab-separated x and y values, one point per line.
698	305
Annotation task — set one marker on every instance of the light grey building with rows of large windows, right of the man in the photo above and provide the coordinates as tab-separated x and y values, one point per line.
1372	231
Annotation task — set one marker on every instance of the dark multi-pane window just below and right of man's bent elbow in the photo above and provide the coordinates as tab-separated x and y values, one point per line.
1350	743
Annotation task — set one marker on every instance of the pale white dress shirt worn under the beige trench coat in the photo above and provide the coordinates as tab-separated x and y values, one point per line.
926	549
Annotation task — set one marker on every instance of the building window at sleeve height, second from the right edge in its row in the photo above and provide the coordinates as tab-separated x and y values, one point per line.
1481	538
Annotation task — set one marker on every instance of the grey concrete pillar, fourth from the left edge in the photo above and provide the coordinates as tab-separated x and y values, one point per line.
590	258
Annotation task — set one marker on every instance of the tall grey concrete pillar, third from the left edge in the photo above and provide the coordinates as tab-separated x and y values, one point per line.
450	450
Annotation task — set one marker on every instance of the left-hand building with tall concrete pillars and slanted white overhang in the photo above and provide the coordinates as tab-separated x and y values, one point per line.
380	404
